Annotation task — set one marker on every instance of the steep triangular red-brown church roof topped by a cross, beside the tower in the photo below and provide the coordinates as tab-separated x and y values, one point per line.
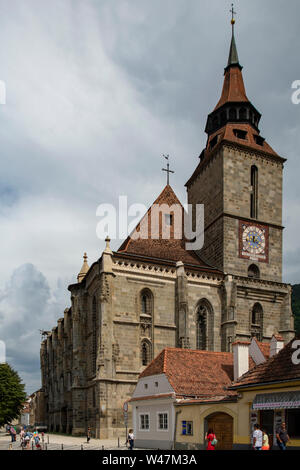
171	248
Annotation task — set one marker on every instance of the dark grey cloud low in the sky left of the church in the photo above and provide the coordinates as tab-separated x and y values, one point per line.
27	305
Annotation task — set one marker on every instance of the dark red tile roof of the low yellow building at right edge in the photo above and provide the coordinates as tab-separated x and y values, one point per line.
276	369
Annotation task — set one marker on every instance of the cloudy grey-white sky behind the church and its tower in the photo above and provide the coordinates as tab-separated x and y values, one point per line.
96	92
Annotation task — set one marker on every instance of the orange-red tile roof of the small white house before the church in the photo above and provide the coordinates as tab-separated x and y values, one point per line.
194	373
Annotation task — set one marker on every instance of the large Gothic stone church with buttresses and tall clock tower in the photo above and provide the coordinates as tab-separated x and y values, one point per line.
154	293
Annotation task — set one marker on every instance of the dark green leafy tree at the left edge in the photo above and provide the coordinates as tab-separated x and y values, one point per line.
12	394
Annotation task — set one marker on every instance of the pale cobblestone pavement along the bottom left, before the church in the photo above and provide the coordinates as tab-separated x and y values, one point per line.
60	442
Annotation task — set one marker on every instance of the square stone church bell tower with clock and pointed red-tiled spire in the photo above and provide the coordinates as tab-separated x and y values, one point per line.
239	181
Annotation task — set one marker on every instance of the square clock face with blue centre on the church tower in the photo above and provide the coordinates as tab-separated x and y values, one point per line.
253	241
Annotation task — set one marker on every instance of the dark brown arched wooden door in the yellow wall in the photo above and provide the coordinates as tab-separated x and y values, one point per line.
222	425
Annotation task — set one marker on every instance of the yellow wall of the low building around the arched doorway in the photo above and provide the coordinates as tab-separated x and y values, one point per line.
239	411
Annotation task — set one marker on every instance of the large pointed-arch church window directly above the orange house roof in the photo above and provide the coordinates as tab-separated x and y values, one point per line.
204	326
